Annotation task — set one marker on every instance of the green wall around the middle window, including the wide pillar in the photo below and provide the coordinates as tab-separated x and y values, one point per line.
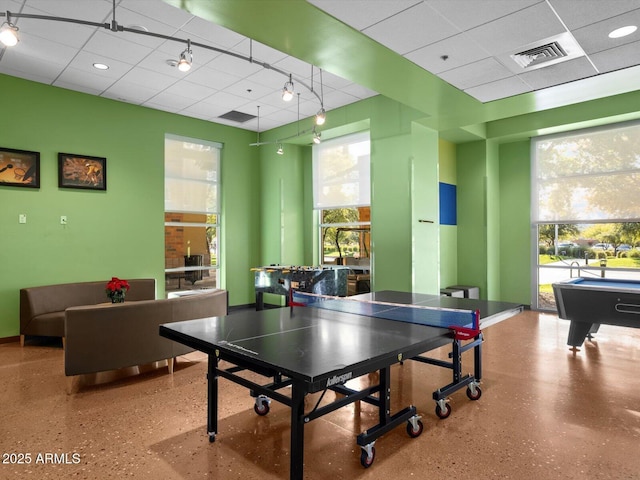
404	158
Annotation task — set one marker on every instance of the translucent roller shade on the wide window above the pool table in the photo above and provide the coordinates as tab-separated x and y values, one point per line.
587	175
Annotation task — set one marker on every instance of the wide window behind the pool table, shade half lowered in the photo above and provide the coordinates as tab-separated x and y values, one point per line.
585	206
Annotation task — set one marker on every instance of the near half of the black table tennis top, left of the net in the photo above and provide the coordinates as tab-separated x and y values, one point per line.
309	344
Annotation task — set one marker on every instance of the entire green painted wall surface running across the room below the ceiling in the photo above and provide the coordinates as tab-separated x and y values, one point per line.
266	198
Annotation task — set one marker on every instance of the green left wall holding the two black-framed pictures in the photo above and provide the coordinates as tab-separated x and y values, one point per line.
119	232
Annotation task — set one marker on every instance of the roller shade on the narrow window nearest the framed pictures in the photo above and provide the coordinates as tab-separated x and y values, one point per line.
192	172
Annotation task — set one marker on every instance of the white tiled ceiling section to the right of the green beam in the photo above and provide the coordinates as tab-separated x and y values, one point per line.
471	42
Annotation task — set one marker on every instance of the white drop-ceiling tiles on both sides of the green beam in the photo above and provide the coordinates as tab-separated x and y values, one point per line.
467	43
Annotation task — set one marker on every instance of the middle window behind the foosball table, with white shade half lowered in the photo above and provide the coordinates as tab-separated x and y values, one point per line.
341	194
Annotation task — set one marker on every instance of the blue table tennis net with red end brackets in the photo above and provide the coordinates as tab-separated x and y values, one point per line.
465	324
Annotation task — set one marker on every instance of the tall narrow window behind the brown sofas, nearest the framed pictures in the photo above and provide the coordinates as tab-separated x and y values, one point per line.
192	217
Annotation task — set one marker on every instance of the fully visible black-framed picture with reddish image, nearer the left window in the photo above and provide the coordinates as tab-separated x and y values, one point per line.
82	171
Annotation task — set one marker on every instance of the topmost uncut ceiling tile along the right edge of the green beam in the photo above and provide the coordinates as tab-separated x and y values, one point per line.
411	29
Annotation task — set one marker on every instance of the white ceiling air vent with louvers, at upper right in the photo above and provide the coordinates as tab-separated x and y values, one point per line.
543	53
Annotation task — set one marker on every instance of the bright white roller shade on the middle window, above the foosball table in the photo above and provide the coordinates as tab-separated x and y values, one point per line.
341	172
